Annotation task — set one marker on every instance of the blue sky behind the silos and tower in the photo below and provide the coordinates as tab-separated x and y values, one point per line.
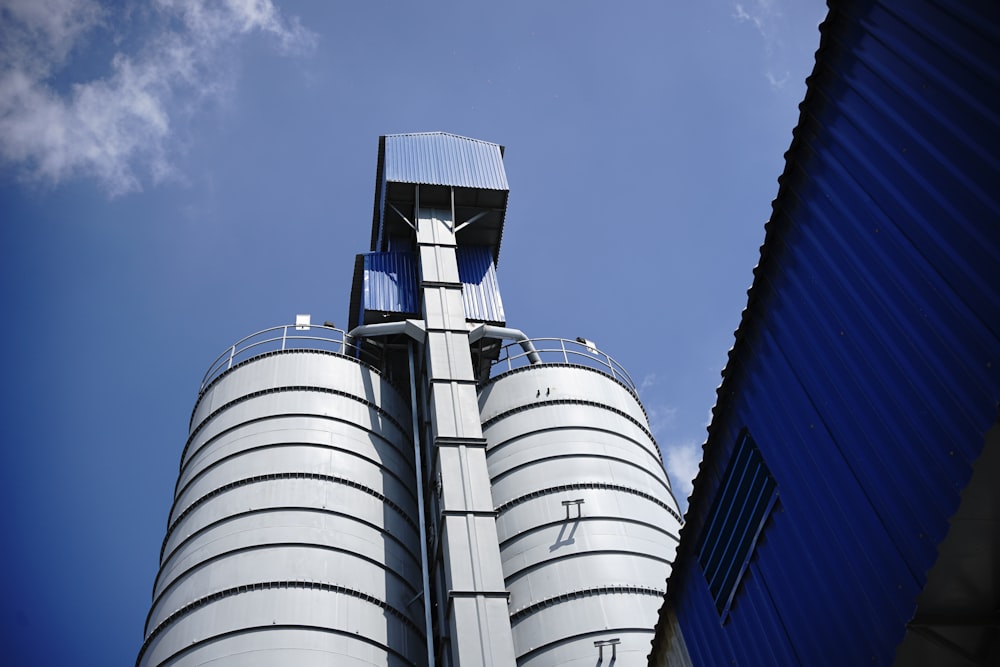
177	174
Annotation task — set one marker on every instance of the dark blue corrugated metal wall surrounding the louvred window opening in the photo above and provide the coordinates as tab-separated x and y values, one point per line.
867	362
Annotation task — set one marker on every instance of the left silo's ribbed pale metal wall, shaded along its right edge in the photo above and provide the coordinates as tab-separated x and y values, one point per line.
293	536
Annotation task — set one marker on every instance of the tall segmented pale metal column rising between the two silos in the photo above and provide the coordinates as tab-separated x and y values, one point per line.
472	598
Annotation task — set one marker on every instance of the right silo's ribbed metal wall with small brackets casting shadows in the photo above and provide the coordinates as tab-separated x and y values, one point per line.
577	572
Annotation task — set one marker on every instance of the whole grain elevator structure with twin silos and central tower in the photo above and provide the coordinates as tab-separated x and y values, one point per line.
428	486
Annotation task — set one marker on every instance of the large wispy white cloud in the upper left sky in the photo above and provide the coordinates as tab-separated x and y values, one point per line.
118	128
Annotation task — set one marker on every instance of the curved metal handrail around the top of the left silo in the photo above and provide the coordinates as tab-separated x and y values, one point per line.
274	339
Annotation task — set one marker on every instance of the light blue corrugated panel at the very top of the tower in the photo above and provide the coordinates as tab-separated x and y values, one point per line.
437	158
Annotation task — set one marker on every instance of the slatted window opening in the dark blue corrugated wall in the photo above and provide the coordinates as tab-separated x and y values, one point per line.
741	508
